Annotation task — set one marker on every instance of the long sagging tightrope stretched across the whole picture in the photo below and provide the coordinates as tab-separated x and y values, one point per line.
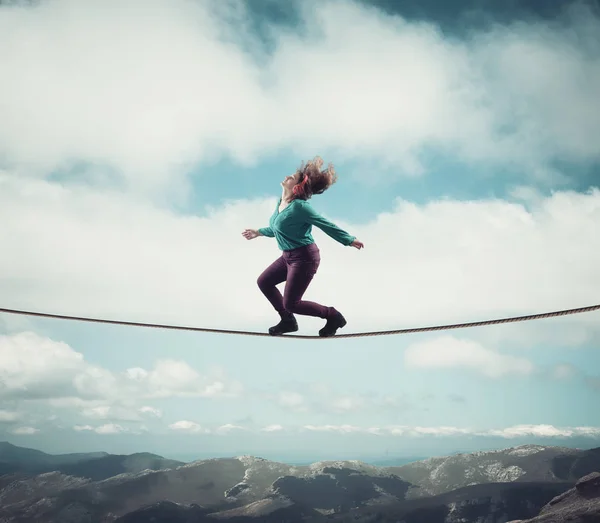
353	335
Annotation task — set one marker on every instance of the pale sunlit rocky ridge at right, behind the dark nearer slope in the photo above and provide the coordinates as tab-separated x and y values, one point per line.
527	463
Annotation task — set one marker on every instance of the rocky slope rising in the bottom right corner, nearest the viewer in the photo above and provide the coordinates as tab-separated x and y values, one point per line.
580	504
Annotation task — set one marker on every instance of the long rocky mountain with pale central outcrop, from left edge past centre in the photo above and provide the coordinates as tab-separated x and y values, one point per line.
218	484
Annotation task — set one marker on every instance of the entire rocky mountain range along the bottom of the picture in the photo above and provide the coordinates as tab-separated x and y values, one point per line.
519	483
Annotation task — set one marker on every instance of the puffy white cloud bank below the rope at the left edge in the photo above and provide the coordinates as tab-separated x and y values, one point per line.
37	371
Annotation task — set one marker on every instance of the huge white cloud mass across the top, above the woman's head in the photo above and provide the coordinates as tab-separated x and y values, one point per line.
179	84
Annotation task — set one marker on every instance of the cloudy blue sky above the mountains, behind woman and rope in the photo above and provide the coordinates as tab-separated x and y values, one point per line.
138	140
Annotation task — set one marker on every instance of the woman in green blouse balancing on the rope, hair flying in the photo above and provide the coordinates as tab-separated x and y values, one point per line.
291	225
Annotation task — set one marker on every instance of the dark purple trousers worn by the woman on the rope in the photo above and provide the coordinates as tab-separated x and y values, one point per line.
297	268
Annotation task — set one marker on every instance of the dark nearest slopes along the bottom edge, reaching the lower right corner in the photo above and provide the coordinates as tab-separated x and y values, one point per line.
488	503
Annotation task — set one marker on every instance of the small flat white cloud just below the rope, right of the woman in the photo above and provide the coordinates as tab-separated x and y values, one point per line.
448	352
